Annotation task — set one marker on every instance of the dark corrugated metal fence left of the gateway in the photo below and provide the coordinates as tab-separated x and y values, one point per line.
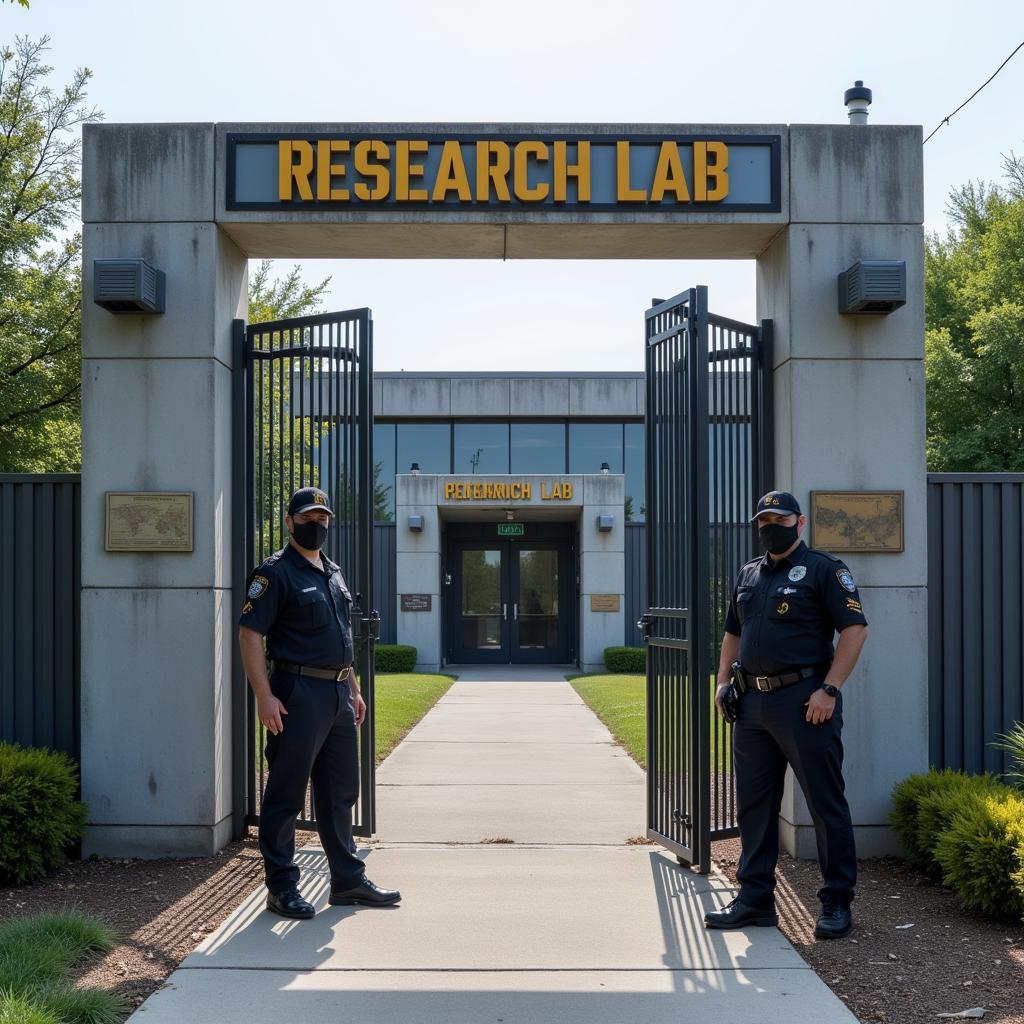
40	570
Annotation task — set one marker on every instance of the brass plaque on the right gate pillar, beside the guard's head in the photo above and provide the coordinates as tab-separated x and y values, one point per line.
858	521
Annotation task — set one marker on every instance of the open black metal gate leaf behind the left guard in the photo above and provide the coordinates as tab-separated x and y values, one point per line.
304	398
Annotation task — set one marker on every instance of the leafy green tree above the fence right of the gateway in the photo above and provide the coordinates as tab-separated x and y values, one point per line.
974	310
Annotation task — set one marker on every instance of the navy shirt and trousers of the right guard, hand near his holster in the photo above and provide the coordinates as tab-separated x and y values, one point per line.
786	614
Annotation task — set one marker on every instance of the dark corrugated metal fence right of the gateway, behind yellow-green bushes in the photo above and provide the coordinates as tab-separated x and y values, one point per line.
975	616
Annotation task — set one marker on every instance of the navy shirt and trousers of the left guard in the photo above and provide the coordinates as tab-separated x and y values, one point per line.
306	615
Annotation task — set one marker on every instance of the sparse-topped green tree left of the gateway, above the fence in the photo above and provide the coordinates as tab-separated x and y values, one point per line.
40	286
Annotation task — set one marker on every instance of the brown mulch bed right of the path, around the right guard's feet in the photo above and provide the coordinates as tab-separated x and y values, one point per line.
949	962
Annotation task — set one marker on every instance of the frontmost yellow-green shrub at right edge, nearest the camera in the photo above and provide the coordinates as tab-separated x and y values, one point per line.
980	854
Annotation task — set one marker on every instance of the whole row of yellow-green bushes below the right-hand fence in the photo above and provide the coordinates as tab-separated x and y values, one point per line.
969	832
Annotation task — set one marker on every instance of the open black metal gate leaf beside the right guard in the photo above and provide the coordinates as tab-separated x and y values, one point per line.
709	457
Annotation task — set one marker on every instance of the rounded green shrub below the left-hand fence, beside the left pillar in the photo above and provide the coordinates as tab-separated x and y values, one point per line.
39	816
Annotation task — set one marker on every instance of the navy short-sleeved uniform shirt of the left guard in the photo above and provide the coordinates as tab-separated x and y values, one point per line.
305	613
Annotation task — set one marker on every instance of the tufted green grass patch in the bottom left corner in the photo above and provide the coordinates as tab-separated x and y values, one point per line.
36	955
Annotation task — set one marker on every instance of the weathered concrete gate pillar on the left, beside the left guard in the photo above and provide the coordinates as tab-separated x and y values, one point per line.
157	629
